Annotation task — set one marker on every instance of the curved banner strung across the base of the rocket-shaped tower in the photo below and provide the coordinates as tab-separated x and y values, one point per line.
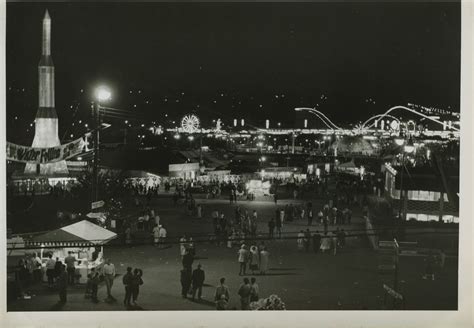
44	155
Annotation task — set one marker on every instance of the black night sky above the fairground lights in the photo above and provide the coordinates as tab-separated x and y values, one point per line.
243	56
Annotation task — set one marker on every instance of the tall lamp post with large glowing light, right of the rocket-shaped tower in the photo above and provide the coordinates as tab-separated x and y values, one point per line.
101	94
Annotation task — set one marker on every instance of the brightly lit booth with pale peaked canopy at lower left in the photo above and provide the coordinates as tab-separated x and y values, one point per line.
84	239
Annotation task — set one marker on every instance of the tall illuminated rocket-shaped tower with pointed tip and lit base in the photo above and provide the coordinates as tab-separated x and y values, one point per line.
46	122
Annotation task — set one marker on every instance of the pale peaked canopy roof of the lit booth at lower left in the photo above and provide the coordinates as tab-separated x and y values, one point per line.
79	233
